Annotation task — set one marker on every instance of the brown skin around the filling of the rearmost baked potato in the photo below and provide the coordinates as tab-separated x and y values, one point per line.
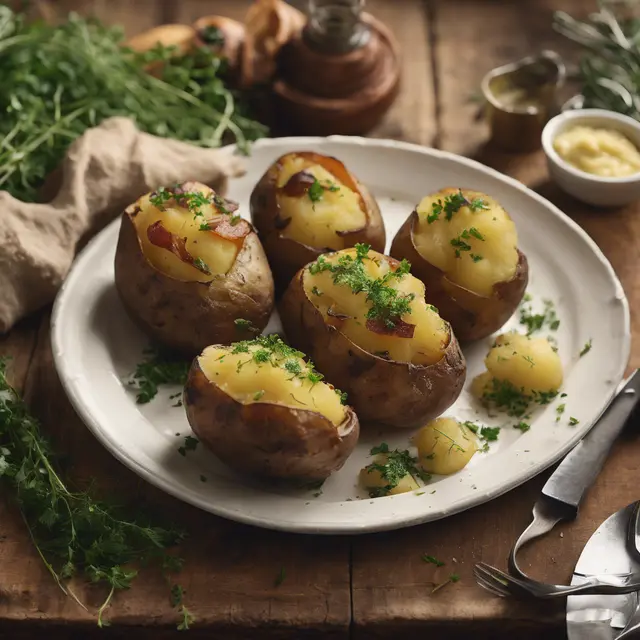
286	255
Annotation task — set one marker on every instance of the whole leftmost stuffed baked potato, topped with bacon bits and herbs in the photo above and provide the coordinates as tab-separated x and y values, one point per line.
189	271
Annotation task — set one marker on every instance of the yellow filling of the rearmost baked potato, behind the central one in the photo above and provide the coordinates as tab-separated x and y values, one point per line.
315	215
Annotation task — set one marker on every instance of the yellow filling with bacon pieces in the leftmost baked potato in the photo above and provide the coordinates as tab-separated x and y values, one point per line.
212	255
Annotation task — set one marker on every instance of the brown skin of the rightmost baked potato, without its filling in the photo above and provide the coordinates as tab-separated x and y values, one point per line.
472	316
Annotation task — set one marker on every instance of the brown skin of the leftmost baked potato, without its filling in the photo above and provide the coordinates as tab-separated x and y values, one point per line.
188	316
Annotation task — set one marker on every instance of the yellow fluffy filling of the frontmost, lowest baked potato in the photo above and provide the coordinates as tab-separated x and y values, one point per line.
278	380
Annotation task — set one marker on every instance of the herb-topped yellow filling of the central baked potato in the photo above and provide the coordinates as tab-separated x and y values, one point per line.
344	303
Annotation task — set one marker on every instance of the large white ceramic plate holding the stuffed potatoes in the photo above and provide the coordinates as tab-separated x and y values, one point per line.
96	347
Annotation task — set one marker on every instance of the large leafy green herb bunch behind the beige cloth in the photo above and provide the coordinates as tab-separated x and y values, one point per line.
60	80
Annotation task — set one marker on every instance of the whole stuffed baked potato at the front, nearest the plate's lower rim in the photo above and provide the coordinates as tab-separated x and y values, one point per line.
263	410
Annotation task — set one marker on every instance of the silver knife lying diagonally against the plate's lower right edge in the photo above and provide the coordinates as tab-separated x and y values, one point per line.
564	490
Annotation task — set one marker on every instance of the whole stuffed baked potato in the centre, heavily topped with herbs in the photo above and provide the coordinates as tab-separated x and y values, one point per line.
364	321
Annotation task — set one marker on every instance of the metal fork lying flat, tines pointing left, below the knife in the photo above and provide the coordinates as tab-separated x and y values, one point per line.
502	584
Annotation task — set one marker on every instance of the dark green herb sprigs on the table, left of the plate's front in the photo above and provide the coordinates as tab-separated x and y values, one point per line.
75	533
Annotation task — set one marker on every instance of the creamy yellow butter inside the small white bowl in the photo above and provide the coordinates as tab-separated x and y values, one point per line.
602	152
